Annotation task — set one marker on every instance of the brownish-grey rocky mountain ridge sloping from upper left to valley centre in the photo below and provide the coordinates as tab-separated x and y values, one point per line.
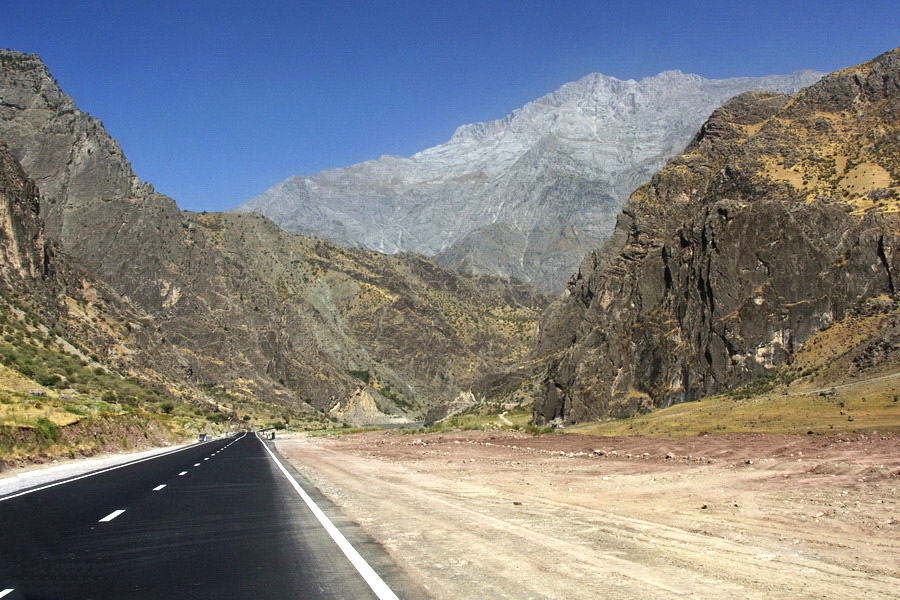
231	303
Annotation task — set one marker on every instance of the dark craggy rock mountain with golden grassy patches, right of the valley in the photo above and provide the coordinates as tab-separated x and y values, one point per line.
780	215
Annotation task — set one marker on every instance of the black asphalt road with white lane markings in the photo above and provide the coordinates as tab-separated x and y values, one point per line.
215	520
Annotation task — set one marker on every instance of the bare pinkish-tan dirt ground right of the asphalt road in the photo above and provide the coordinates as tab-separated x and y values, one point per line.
503	514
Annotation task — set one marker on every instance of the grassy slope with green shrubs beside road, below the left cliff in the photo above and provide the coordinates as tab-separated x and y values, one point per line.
54	399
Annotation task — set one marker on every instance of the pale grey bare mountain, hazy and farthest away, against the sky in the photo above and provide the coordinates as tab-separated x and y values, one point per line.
526	196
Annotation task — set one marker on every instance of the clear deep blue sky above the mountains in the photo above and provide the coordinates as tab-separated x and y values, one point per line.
213	102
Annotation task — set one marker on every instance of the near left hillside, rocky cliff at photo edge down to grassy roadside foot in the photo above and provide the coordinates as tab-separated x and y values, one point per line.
58	397
